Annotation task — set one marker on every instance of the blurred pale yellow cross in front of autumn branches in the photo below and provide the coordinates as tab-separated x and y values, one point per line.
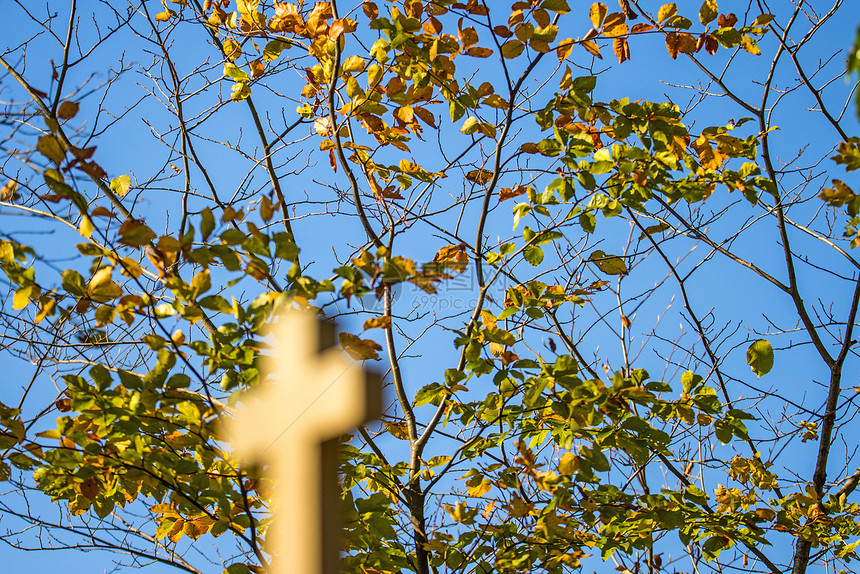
292	426
